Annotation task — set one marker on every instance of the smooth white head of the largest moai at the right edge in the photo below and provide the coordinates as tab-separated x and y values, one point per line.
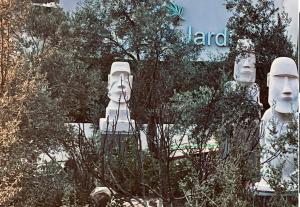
283	83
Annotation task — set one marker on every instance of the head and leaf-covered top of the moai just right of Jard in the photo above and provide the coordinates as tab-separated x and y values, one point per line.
244	65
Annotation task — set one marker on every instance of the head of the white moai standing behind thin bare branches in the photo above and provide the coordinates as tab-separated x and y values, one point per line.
119	82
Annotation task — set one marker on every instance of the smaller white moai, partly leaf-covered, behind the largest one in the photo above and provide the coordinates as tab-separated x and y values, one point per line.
245	71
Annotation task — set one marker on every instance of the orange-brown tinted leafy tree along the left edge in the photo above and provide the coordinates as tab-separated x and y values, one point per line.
31	122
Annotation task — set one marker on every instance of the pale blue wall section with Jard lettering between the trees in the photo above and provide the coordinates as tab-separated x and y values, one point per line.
204	23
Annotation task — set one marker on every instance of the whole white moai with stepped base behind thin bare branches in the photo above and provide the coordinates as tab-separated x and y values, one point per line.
117	119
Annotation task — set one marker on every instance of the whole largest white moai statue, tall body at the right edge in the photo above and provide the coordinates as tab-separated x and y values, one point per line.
277	151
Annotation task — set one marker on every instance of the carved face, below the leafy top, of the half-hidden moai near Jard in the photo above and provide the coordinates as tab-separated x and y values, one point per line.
244	68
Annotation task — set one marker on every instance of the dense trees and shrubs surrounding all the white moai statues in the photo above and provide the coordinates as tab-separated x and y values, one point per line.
54	69
